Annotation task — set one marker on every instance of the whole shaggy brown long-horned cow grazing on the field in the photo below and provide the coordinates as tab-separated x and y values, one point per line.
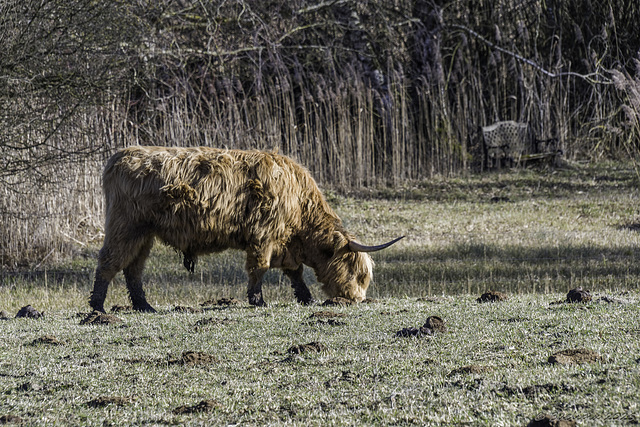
203	200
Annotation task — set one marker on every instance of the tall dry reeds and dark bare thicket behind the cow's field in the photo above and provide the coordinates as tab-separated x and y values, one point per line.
363	94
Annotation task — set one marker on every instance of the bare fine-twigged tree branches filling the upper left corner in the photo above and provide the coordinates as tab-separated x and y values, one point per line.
61	62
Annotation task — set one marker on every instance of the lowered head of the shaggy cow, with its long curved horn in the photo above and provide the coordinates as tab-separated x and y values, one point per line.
349	268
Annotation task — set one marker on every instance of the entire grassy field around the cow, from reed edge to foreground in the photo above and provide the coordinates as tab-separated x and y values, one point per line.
533	235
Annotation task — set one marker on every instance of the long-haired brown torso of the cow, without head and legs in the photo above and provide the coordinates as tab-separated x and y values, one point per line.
205	199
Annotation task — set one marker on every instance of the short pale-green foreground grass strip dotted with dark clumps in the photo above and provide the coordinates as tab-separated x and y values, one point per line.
366	375
